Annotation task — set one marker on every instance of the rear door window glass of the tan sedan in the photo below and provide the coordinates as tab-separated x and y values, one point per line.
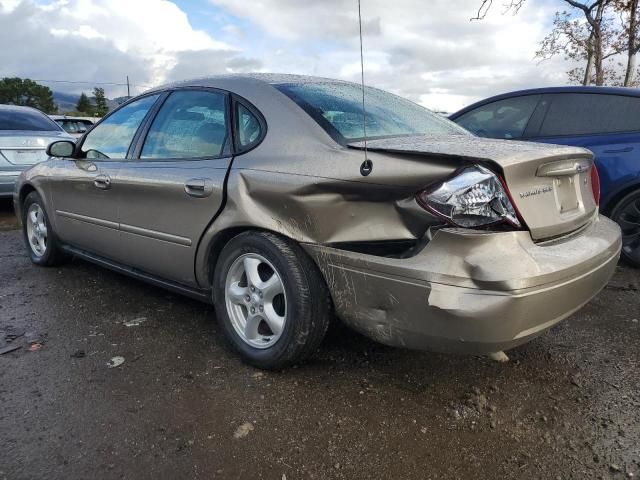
190	124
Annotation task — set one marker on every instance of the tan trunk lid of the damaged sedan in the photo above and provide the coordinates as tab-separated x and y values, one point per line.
549	185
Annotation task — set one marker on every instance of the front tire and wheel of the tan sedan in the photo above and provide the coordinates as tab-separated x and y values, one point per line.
40	239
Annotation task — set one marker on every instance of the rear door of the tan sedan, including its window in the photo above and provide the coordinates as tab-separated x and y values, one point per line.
173	187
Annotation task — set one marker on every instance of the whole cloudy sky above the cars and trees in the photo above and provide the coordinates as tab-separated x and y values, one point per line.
426	50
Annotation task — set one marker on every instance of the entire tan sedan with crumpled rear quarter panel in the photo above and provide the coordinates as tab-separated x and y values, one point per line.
258	194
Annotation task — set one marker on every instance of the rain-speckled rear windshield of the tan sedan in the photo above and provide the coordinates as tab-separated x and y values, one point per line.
337	107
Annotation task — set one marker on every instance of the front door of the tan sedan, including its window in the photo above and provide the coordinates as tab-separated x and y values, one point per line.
83	194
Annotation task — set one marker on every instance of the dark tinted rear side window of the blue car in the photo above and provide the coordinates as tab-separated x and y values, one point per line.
590	113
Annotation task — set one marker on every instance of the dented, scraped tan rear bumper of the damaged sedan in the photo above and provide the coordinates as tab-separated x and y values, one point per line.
470	291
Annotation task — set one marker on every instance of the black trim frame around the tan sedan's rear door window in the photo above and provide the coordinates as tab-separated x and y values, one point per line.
141	136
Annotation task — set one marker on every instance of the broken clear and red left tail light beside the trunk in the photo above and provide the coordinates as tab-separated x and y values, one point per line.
475	197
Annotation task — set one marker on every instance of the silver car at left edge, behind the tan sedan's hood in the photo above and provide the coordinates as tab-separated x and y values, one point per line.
25	133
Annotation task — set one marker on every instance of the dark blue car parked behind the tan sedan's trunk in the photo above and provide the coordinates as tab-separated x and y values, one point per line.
604	120
